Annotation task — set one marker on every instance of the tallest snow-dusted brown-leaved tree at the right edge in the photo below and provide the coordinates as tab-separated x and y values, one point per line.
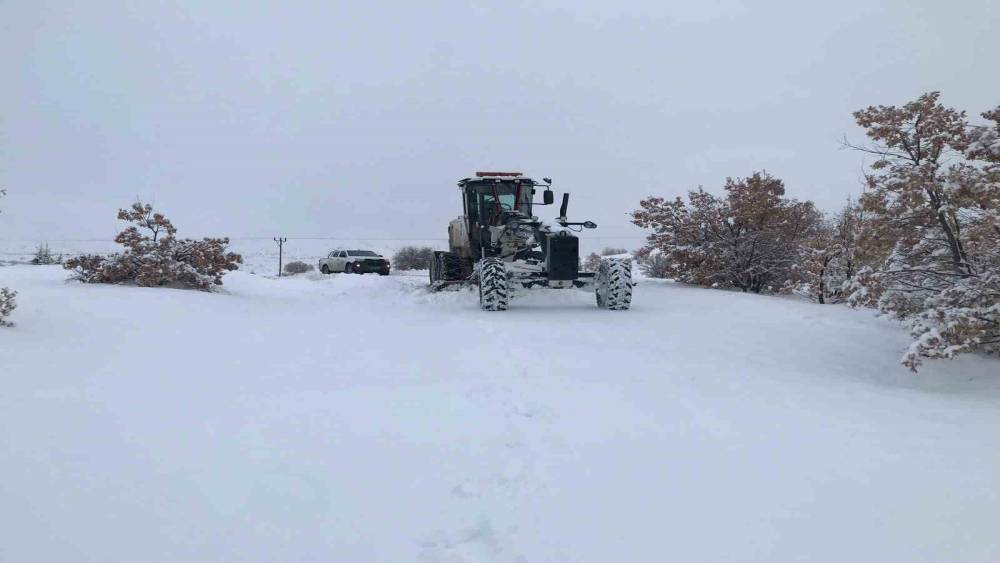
934	199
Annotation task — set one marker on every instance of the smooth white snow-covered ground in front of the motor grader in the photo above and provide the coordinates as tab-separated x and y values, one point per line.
361	418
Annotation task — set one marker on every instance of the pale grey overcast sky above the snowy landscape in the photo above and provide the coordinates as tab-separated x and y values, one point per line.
355	119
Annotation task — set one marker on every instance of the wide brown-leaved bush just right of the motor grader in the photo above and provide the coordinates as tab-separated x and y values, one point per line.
749	239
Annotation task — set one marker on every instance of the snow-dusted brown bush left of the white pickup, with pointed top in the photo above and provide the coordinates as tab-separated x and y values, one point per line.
153	256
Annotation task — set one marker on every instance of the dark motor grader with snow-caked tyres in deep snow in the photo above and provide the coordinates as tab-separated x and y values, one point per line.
499	244
